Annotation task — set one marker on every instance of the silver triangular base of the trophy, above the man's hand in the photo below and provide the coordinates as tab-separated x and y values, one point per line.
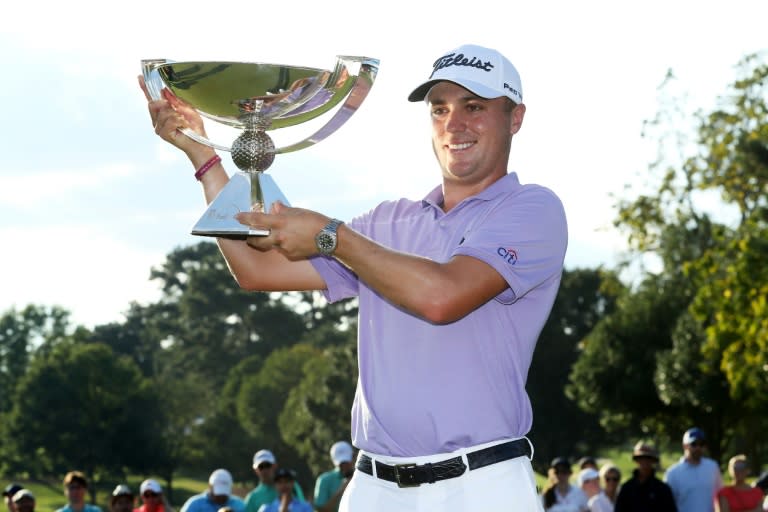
245	192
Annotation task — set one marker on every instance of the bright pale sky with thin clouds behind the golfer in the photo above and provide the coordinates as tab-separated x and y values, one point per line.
91	199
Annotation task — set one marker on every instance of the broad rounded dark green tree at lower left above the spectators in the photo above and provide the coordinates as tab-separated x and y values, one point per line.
82	407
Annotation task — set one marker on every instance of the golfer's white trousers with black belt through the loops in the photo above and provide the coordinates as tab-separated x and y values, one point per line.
507	485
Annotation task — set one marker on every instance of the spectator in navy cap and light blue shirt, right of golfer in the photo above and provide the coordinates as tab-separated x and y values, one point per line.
695	479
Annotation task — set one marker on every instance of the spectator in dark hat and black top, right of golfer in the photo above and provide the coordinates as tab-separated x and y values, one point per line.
644	492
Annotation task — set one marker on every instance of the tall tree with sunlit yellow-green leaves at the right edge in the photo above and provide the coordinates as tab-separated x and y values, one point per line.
715	261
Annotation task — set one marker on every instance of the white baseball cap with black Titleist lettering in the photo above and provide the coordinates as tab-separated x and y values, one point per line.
481	70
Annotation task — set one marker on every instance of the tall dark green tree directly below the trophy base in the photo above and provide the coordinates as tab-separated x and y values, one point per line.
211	323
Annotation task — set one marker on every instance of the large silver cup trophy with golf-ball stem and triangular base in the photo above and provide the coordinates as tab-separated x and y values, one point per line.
254	98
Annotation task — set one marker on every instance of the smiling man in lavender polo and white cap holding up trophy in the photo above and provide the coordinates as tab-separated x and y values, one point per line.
453	292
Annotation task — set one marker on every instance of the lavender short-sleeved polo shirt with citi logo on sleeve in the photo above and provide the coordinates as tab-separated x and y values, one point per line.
424	388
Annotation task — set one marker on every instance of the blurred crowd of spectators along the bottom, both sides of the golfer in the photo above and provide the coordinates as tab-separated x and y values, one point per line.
692	484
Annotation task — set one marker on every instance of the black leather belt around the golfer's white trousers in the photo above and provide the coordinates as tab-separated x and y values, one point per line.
413	475
